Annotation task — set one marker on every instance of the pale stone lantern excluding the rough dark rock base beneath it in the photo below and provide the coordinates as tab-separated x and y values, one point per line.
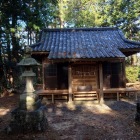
28	98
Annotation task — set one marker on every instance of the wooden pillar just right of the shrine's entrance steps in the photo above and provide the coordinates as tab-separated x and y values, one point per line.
101	83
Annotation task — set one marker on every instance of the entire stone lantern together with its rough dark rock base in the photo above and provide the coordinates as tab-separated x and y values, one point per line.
30	115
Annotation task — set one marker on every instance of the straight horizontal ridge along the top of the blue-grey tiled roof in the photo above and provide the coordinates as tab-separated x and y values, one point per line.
79	29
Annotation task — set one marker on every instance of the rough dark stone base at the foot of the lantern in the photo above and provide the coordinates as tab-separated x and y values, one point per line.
23	121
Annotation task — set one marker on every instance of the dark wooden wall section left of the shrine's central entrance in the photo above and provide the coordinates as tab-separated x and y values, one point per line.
56	76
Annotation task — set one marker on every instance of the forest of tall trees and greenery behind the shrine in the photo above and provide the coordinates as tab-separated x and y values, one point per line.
22	20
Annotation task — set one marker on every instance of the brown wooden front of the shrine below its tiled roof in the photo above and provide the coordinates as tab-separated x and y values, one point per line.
83	74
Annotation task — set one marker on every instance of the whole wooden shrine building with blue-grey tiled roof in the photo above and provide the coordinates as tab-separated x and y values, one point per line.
83	61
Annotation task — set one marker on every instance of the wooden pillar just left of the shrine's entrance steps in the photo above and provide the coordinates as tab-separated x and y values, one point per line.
70	83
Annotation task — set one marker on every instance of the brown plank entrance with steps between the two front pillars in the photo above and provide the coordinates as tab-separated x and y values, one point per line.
84	82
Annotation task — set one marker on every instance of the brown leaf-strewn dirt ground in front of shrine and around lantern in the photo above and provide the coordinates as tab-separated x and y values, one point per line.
80	120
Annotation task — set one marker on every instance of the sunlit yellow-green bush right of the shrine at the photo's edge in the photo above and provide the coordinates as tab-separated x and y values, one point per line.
132	73
